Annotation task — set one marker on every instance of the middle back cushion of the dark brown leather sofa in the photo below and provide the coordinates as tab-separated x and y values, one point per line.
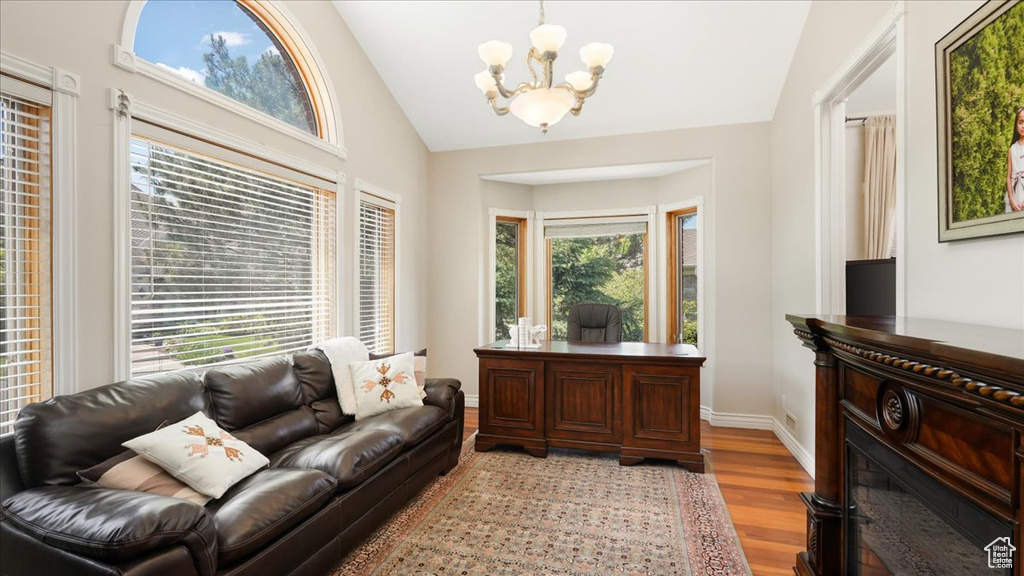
262	403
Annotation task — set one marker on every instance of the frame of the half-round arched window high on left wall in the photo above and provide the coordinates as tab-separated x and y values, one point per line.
303	53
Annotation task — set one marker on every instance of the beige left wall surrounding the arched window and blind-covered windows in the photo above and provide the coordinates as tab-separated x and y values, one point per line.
383	150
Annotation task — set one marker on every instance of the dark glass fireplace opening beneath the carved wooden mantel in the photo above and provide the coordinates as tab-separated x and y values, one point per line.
900	522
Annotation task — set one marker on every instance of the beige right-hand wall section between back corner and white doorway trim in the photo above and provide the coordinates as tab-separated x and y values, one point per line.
832	32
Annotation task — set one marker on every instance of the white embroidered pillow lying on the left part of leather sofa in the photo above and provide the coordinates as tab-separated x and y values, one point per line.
200	455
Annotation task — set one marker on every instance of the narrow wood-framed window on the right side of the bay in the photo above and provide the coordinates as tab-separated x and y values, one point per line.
682	242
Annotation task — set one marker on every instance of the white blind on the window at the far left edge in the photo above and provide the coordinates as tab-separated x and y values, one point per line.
26	364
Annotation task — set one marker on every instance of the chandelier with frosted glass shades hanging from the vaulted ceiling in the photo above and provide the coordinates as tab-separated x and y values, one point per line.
539	103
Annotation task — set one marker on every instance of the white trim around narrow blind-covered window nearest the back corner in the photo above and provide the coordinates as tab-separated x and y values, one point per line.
365	192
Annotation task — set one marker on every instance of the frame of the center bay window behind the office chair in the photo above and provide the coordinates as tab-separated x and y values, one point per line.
652	241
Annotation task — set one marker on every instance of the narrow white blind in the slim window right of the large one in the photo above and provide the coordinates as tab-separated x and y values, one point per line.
376	273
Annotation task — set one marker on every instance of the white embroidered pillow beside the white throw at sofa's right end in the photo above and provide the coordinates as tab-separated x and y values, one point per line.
389	384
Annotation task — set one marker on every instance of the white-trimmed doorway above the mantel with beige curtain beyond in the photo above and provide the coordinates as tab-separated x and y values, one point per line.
869	90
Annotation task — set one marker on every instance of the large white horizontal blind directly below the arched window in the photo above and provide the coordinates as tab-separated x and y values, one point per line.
228	263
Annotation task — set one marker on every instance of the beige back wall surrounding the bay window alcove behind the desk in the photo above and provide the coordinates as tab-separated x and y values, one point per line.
740	202
